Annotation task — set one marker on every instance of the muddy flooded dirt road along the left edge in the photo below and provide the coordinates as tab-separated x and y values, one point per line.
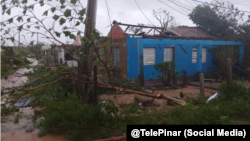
10	131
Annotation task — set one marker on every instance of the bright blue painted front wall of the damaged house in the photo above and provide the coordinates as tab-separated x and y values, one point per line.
182	60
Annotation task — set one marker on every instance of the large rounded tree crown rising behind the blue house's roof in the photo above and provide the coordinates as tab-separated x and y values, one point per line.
216	20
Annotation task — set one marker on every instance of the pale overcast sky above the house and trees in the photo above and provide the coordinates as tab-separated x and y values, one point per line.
127	11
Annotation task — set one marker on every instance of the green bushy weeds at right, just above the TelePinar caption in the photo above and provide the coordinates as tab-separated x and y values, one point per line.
231	105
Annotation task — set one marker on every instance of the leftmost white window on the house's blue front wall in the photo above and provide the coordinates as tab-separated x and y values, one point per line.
149	56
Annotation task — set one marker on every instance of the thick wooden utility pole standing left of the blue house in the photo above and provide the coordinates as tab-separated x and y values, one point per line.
85	67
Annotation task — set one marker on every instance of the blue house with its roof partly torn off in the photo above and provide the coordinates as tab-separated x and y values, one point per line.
136	54
